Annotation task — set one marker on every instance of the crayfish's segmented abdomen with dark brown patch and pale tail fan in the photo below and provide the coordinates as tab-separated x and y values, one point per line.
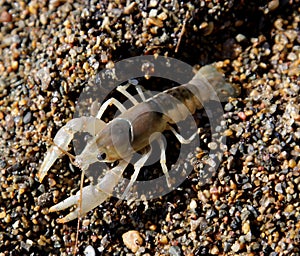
179	102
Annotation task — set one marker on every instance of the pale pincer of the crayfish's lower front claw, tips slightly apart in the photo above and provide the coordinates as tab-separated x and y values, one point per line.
91	198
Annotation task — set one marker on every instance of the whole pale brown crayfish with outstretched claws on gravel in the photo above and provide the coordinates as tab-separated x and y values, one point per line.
131	131
